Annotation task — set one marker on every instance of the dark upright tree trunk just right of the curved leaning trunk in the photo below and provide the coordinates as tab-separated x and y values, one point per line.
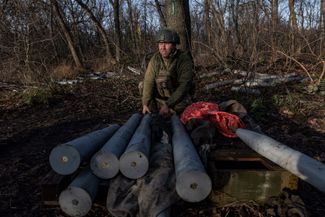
116	8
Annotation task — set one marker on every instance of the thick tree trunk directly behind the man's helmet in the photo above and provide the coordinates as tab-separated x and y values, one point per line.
178	18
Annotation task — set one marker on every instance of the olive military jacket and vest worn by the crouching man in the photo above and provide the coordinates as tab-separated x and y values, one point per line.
169	81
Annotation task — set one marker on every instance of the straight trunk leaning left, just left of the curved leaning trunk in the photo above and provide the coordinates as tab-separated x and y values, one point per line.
67	34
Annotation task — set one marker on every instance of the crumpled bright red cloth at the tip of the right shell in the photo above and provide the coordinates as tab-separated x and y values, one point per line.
210	111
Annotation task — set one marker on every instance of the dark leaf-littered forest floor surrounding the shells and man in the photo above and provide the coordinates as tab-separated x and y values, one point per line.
33	120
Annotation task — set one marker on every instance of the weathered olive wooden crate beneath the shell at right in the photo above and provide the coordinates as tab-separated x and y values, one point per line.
244	175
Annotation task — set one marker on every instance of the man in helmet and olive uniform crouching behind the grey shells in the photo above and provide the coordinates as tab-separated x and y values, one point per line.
168	80
